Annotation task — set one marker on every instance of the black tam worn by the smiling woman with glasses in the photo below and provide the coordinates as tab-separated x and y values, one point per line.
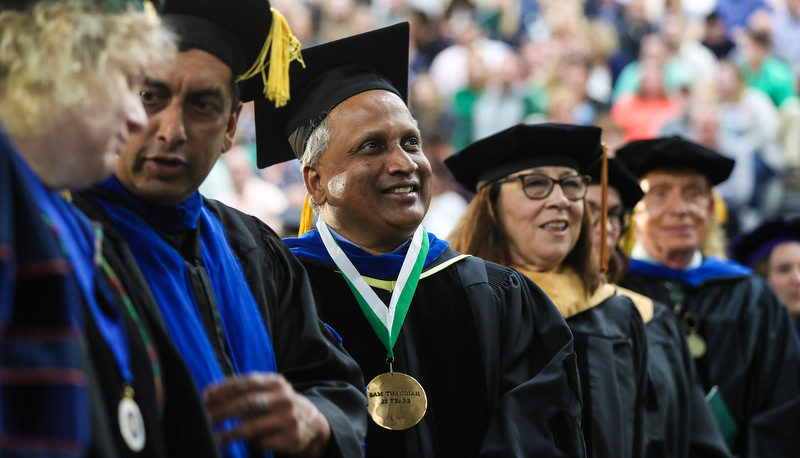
525	146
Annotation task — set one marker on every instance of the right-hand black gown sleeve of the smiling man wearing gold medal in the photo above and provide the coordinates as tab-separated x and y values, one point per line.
531	366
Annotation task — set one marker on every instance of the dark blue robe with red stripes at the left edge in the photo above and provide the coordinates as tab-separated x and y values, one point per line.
42	340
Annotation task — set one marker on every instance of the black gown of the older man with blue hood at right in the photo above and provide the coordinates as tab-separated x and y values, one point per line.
752	356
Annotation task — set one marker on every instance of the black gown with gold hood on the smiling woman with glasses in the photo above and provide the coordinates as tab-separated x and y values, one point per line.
610	341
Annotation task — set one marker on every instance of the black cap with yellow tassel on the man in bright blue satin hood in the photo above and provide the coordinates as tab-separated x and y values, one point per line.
234	31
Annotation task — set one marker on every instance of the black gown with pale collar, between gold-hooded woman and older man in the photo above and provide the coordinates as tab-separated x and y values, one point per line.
679	423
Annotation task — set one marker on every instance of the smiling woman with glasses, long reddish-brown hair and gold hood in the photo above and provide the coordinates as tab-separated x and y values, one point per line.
530	213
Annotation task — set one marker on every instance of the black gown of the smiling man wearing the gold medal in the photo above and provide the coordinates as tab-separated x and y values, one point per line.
492	353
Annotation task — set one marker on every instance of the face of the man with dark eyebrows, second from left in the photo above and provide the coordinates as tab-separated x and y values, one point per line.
188	103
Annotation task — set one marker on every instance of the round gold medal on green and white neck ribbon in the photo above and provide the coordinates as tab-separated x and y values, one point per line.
396	401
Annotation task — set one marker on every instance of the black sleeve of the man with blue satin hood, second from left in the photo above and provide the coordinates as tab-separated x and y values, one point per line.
307	352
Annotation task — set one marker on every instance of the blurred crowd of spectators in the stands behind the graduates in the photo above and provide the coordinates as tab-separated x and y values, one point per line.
723	73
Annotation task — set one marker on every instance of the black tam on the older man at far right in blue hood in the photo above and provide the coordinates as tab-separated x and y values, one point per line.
674	153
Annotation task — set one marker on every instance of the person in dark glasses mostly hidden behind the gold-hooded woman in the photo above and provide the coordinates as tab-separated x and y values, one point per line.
679	423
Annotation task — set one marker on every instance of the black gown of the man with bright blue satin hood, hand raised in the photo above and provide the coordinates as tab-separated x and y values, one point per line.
306	352
